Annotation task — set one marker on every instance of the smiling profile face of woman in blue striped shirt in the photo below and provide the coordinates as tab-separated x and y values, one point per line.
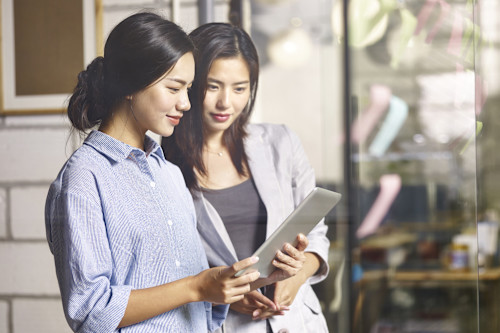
159	107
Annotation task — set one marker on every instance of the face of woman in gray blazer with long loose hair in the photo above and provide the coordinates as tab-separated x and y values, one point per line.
228	92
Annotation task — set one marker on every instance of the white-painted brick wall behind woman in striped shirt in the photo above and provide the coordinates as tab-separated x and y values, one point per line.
32	150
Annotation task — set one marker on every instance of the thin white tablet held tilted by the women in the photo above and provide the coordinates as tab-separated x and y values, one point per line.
303	219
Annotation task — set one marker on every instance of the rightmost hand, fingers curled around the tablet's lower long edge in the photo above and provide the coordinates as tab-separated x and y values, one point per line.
290	262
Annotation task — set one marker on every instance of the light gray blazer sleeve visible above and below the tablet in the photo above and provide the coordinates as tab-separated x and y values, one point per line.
303	181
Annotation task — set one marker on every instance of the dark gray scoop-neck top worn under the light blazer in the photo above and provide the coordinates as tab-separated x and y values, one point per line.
244	215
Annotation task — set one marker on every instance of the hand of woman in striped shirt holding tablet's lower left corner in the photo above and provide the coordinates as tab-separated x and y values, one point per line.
218	285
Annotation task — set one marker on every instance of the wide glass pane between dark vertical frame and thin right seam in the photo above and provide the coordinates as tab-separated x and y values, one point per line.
413	134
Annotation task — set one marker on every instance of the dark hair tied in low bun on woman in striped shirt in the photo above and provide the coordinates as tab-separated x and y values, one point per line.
138	51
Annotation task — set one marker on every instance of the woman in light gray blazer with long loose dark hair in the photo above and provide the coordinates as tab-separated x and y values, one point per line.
245	180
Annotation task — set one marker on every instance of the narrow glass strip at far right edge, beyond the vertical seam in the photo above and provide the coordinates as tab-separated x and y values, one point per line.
487	99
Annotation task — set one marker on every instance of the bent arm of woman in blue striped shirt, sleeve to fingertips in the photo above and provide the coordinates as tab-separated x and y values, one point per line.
84	265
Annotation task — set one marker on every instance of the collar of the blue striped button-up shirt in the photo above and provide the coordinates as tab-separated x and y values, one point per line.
117	150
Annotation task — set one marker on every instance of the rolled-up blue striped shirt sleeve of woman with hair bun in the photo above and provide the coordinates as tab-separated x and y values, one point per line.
77	238
